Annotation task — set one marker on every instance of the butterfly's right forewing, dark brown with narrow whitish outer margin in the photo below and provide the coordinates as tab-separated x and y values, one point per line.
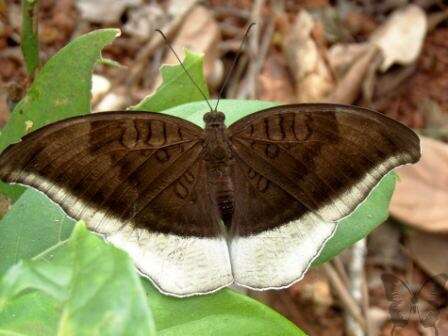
328	157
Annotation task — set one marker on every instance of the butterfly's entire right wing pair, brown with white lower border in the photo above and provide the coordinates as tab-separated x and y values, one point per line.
299	169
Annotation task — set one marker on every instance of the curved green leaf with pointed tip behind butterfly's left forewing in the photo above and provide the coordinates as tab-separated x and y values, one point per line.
60	90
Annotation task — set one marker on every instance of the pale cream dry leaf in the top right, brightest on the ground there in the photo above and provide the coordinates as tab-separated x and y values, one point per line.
401	37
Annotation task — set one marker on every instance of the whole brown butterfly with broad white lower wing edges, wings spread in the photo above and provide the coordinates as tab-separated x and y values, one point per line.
201	208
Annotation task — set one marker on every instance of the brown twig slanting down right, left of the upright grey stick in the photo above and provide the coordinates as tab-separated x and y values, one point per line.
346	299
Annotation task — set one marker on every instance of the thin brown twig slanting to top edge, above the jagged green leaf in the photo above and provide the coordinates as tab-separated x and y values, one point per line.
157	41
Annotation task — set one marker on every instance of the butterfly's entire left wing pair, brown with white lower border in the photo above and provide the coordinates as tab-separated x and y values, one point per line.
137	178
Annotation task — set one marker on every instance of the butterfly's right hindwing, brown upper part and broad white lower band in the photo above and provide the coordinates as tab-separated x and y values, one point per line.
277	255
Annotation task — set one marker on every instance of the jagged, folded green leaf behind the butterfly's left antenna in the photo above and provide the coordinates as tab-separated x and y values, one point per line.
176	88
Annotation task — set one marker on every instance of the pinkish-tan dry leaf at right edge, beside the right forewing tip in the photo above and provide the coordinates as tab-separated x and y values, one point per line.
421	195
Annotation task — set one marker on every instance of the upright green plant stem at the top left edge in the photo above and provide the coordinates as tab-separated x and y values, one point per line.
29	36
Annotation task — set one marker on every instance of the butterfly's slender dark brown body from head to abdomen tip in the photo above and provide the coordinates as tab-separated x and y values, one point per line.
218	158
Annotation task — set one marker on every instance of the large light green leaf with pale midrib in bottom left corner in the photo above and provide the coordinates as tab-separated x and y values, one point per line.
87	287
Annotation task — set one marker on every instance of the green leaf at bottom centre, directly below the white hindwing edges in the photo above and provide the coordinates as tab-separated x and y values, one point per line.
223	313
